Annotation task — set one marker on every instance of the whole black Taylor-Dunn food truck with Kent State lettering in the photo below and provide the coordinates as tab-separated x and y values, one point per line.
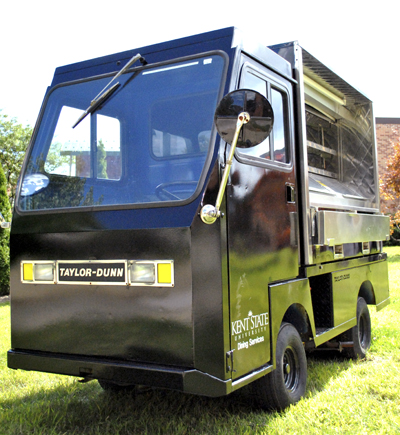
197	215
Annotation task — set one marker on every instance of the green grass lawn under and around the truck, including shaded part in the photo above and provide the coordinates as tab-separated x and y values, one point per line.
343	397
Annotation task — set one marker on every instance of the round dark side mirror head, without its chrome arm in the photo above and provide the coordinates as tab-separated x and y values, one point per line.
256	106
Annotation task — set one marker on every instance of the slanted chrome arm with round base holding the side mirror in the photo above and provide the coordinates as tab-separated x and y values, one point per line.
209	213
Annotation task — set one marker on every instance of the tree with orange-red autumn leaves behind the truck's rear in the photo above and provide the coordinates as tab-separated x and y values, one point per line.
390	188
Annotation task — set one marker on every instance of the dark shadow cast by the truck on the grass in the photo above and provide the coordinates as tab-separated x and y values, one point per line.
74	408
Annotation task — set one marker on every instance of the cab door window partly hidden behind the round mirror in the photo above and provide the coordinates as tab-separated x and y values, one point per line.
276	146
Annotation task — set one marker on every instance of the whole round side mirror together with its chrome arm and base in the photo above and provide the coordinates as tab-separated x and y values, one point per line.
243	118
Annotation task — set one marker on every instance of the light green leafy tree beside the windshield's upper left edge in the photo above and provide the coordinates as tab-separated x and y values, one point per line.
14	140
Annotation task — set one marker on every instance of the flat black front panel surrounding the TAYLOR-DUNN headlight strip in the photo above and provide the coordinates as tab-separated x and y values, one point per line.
136	323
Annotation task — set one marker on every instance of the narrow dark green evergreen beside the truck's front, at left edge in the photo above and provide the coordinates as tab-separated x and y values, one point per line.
4	237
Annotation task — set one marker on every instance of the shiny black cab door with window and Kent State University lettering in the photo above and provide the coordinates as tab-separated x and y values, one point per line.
261	223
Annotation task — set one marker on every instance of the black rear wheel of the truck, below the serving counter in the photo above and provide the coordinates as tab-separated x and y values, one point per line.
360	334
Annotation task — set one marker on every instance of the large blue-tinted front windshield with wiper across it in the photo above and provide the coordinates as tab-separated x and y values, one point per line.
148	143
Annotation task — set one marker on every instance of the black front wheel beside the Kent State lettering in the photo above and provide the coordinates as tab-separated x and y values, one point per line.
287	383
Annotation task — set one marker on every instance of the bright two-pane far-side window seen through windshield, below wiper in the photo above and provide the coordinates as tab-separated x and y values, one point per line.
70	153
